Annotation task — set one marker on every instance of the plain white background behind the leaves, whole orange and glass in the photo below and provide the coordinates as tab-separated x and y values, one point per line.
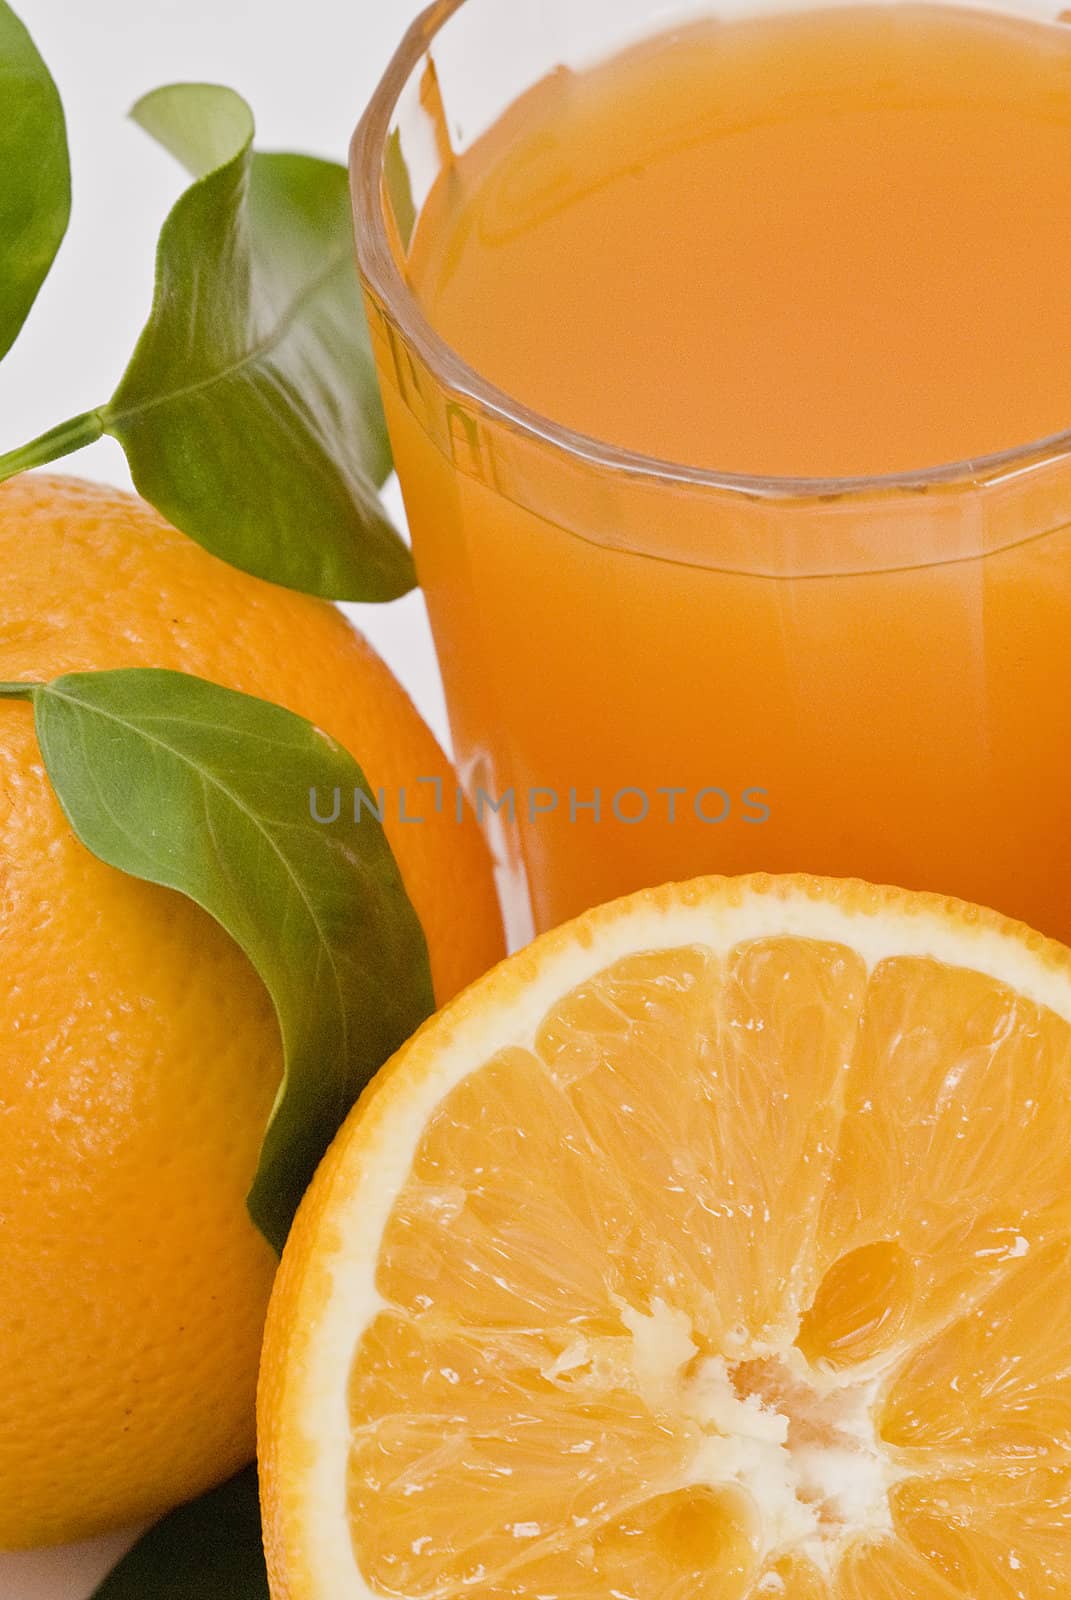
308	68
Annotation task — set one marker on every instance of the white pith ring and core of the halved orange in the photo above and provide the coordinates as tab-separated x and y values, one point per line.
748	1442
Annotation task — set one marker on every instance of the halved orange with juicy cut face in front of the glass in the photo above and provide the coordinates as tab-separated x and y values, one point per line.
718	1246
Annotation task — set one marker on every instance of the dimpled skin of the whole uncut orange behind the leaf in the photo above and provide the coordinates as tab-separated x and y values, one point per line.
140	1050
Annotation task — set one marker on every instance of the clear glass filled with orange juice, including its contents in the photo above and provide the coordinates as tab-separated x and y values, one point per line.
728	364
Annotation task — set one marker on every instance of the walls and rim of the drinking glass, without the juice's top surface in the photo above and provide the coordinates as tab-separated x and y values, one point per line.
656	671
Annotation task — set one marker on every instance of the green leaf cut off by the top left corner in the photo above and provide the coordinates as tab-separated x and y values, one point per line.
34	175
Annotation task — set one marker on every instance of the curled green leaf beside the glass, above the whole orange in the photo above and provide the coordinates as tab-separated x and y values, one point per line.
251	412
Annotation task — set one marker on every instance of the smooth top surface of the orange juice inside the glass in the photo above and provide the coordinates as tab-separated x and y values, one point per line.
828	244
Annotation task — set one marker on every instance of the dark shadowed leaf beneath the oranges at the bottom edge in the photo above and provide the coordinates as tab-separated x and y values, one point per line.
207	1551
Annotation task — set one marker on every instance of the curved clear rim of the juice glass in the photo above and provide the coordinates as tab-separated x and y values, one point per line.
388	284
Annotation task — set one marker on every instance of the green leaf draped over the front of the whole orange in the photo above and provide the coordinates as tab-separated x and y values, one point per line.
207	791
